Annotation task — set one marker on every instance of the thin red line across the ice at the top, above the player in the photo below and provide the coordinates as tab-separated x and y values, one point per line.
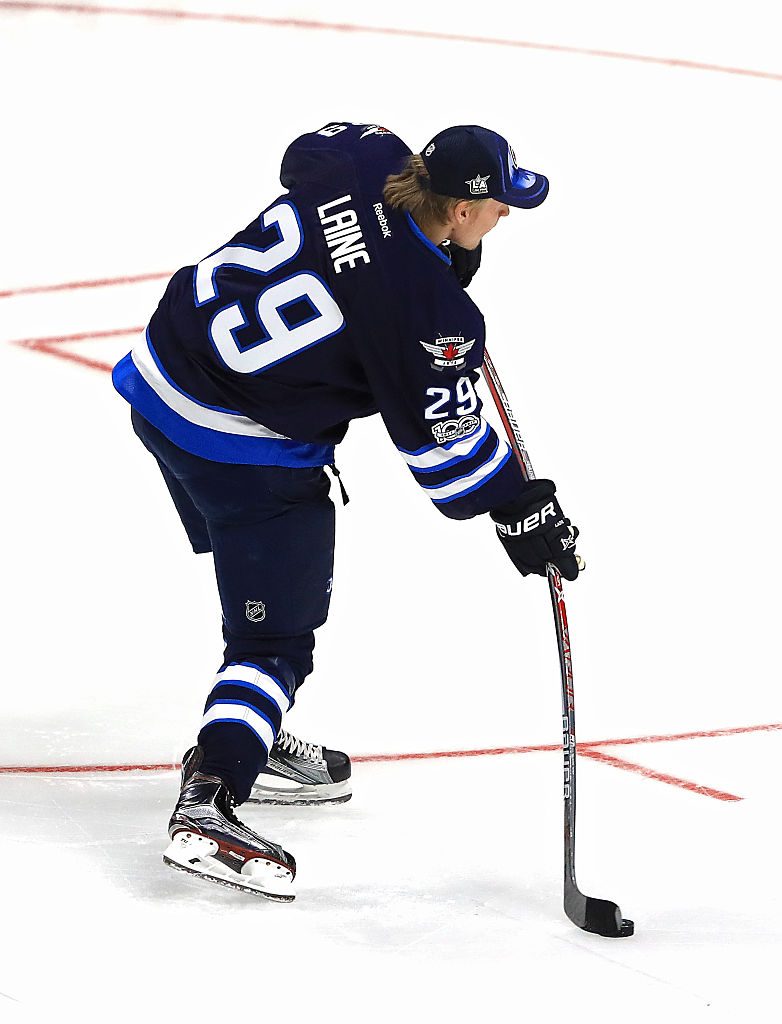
292	23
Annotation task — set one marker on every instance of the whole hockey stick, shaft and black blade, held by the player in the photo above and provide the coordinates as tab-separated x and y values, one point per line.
598	916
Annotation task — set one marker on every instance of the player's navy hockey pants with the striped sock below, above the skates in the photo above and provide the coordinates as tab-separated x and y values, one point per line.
271	530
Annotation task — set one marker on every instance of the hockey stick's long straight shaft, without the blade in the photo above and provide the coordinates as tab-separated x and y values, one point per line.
556	591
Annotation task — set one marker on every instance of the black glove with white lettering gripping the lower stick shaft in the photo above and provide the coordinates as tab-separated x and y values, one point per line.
534	532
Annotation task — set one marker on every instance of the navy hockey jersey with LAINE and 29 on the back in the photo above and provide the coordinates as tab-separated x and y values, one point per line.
328	308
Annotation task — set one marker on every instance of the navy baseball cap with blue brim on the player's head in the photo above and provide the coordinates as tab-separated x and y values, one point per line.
470	162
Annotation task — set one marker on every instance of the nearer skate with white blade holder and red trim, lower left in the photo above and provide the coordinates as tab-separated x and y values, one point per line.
210	842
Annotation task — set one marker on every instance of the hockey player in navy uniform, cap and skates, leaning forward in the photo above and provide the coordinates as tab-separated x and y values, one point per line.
344	298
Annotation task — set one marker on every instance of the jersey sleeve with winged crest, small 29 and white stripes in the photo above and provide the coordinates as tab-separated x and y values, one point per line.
424	382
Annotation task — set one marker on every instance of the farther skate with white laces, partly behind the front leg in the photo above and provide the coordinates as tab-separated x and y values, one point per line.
298	773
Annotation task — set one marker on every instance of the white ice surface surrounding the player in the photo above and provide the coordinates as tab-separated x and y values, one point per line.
635	321
